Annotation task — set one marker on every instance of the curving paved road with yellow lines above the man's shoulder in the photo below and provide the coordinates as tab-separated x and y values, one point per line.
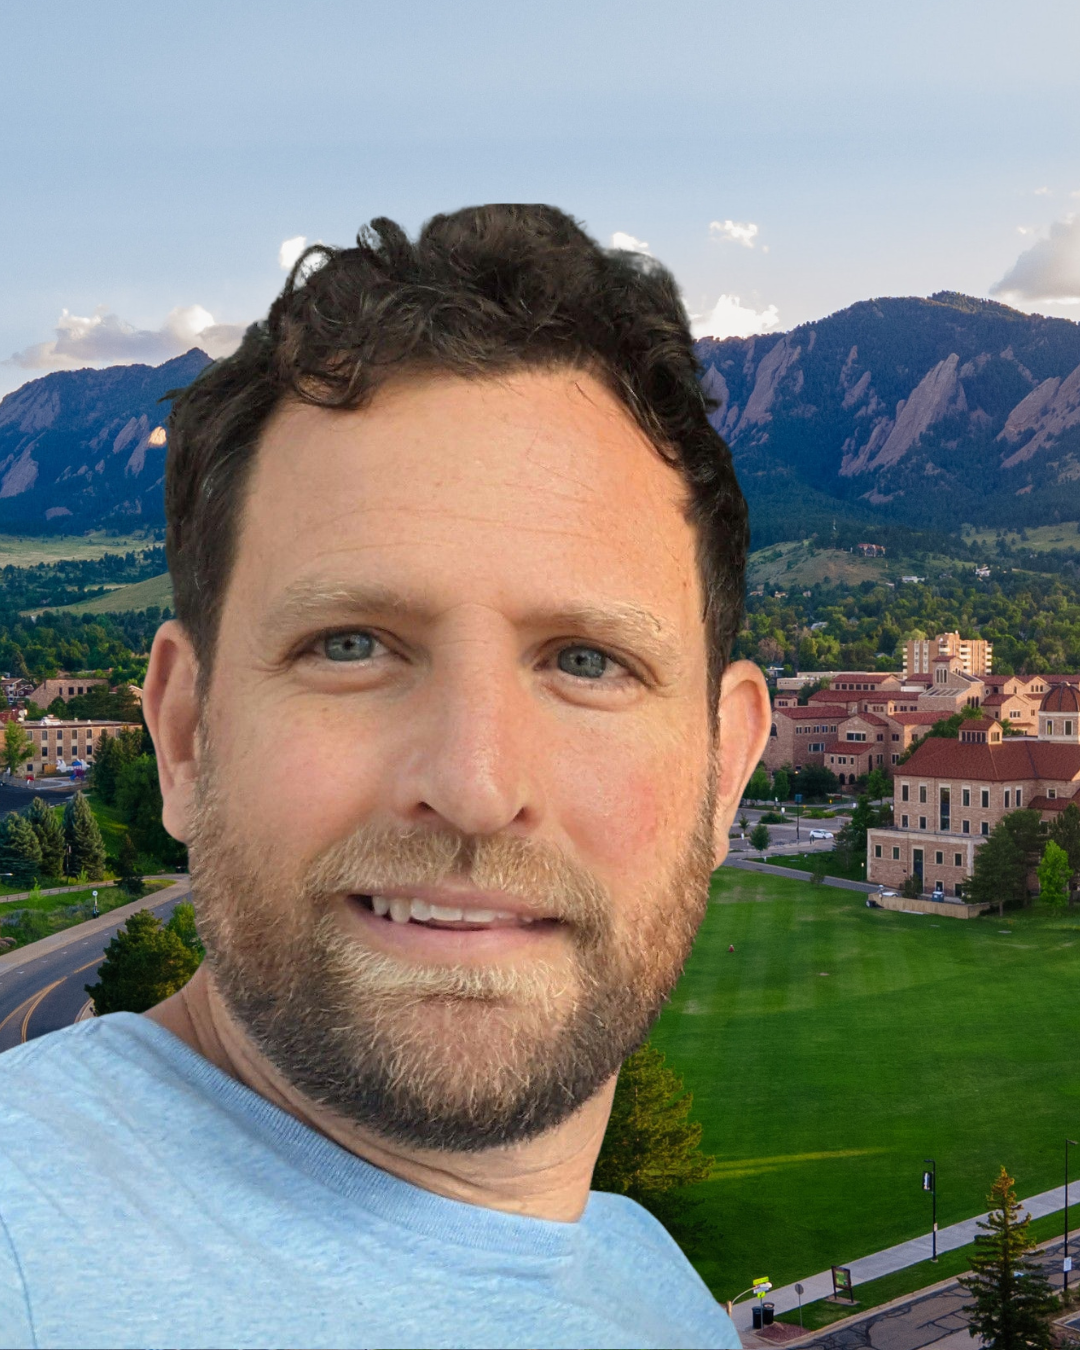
43	985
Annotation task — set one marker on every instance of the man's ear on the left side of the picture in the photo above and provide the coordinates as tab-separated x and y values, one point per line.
171	708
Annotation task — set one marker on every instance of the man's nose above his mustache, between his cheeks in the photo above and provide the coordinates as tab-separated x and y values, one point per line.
473	746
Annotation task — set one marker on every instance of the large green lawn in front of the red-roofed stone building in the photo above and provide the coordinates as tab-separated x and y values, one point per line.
839	1047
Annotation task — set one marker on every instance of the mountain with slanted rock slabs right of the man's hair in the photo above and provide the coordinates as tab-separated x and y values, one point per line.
919	412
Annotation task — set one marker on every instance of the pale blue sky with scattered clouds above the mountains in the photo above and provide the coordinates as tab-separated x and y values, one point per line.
799	157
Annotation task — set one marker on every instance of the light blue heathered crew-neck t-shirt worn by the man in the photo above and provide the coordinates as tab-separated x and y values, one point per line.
148	1199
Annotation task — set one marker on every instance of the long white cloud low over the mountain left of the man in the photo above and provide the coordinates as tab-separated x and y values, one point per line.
88	341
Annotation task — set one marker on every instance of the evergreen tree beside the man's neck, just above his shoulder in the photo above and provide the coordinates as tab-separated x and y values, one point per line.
650	1147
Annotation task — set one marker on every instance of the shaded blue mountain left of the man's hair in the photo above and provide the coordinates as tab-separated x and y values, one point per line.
82	449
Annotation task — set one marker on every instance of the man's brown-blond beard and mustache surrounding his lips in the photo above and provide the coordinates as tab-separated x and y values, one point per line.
433	1056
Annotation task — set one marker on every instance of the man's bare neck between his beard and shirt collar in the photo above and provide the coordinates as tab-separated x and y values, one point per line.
546	1178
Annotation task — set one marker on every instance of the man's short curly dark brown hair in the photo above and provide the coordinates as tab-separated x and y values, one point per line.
481	292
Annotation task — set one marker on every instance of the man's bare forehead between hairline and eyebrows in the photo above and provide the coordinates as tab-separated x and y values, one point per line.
487	488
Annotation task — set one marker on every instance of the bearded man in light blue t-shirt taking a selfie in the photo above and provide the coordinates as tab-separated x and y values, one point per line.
448	722
